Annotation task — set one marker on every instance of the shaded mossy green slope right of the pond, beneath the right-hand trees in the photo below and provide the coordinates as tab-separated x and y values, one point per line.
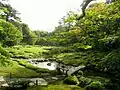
81	57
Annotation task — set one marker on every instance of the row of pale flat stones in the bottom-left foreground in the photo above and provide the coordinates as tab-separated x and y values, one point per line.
11	82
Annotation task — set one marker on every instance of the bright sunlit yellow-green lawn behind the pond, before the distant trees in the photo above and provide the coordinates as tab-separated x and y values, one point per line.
27	51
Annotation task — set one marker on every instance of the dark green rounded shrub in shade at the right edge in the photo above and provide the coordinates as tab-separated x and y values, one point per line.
111	62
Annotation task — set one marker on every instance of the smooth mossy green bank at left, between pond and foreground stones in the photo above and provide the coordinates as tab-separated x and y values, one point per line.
17	71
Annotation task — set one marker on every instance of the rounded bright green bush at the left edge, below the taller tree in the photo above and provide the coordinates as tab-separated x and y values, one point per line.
9	34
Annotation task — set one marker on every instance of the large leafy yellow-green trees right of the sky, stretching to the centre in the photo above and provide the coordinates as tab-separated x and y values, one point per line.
98	28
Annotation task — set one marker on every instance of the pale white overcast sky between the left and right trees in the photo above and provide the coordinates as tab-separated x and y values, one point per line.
44	14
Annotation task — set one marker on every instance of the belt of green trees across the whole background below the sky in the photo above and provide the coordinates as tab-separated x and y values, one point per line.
89	30
